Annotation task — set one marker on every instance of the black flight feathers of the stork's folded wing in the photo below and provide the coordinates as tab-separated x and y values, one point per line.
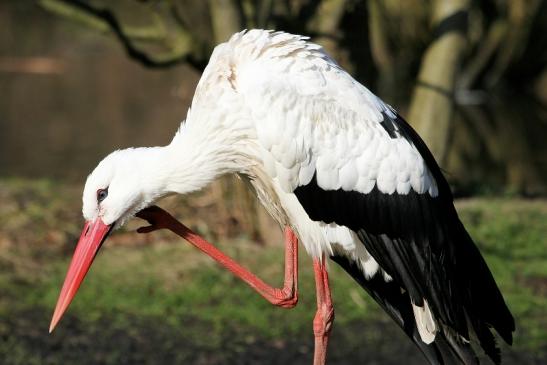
419	241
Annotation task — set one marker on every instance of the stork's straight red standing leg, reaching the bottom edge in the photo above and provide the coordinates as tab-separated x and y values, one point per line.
324	317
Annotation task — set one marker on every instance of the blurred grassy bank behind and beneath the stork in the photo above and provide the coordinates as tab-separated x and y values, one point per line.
158	299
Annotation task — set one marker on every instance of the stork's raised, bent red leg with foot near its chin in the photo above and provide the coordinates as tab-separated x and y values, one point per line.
286	297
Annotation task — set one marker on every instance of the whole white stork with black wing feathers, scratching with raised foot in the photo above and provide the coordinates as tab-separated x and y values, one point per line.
336	166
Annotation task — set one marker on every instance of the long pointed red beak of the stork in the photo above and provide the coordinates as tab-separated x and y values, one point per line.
91	239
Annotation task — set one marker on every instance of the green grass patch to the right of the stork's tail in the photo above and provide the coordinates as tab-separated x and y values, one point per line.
512	235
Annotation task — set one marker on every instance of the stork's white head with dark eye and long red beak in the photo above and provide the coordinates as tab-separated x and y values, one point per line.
114	192
